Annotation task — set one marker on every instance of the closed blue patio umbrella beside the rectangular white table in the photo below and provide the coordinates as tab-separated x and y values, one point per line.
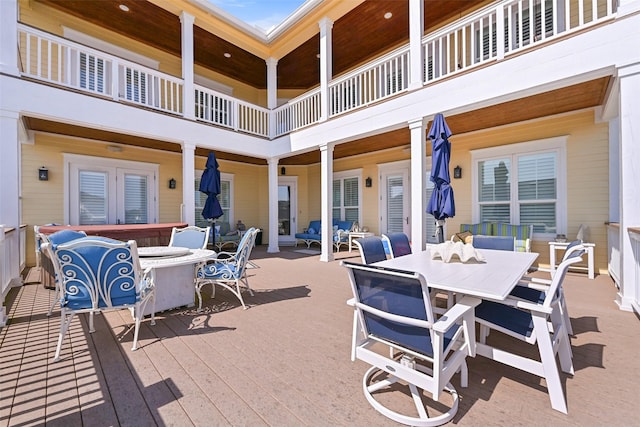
441	204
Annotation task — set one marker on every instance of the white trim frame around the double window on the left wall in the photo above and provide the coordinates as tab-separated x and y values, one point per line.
102	162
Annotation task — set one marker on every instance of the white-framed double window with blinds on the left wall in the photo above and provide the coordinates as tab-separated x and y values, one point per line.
106	191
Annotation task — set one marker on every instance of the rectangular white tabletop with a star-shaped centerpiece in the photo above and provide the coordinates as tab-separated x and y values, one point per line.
492	279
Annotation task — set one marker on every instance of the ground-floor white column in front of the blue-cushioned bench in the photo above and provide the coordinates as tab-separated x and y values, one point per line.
326	195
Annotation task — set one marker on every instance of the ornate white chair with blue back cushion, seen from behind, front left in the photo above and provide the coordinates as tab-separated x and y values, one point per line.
99	274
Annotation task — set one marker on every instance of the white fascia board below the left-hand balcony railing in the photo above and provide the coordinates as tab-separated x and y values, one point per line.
46	102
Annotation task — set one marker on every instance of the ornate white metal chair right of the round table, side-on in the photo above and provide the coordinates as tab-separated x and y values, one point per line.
227	270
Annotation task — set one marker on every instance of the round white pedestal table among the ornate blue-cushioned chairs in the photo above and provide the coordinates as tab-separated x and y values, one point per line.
173	272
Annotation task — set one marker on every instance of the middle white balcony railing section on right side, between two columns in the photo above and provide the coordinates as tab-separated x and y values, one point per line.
377	80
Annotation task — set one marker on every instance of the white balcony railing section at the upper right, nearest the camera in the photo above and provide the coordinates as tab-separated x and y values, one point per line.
504	28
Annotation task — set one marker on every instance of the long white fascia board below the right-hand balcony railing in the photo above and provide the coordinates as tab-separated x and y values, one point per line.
577	59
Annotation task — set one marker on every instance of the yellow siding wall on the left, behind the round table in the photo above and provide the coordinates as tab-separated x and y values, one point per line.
43	201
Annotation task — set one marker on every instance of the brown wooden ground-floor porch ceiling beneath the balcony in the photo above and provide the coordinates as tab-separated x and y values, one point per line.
584	95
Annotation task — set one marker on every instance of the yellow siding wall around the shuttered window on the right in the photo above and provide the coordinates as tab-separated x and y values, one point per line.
587	173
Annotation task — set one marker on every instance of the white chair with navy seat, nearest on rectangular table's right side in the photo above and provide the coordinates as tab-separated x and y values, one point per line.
529	322
